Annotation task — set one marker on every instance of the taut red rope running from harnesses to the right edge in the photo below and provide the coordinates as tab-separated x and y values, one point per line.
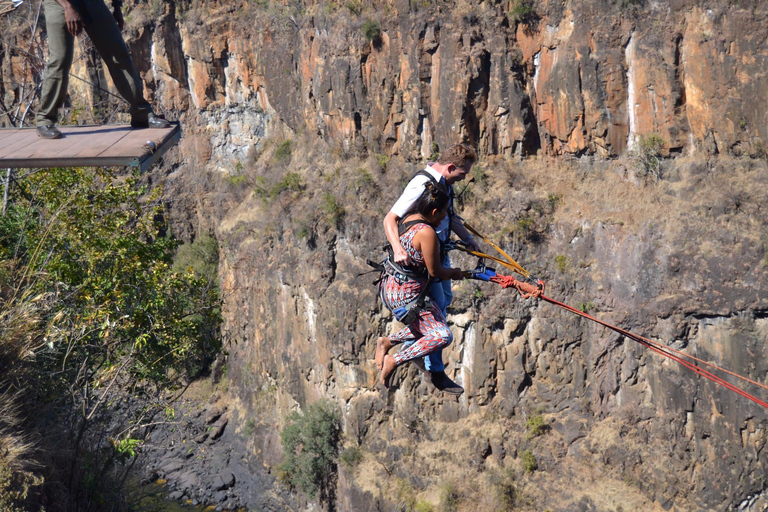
529	290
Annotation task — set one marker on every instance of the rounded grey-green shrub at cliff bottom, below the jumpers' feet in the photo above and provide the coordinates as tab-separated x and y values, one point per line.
310	444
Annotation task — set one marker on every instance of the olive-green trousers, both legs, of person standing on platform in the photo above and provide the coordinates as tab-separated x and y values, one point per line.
100	25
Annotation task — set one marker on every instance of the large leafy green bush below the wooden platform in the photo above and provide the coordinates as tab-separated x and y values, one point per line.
95	313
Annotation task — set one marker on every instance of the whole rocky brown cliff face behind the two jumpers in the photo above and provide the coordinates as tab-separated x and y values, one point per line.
299	133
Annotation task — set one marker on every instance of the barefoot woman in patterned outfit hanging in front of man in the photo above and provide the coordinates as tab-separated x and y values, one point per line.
430	330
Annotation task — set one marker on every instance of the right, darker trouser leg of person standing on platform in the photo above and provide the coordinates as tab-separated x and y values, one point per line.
106	37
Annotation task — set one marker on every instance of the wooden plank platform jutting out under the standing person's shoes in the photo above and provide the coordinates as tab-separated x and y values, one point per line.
86	146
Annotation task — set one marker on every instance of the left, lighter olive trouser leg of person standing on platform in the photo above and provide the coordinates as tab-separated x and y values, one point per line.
61	47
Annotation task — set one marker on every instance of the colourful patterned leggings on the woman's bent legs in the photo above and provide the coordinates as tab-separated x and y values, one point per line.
429	332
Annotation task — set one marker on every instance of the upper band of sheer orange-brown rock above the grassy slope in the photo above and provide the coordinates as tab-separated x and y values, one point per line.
591	78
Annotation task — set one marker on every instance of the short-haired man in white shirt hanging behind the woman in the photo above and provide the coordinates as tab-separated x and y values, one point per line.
452	166
